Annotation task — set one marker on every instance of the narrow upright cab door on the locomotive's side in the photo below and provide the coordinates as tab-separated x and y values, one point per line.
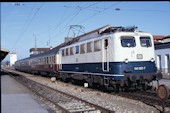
105	55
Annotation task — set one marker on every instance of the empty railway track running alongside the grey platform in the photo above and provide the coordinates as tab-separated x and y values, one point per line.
65	102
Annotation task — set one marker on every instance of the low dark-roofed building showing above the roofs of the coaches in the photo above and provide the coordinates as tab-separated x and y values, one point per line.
35	51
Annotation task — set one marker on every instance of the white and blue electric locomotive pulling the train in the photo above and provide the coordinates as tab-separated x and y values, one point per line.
115	57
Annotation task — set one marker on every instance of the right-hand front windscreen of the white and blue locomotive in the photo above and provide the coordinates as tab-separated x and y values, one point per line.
145	41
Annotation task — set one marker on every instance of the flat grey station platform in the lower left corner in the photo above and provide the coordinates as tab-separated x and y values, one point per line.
15	98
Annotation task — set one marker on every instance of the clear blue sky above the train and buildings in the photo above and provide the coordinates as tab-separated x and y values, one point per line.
49	22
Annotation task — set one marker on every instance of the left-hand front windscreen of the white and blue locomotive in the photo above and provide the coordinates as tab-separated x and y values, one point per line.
127	41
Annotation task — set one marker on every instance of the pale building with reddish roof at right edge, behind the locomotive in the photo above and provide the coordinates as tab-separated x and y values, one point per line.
162	55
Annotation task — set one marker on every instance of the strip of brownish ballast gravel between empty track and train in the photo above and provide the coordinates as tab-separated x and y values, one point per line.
112	102
